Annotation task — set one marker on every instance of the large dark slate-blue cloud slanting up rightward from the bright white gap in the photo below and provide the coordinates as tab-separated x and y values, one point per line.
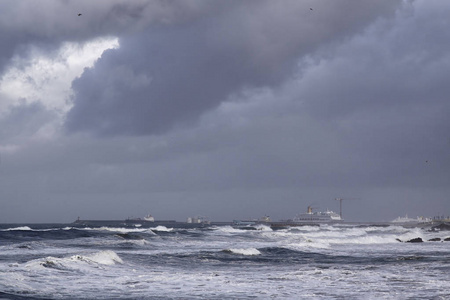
166	76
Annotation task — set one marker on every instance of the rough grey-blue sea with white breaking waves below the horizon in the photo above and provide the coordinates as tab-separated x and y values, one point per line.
144	261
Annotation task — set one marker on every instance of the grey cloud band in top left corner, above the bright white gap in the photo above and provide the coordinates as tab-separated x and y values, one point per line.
46	24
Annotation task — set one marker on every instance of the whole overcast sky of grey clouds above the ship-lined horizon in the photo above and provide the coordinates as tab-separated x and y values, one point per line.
224	109
